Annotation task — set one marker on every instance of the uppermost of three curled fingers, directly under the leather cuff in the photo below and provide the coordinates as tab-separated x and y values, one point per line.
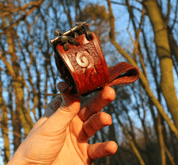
97	103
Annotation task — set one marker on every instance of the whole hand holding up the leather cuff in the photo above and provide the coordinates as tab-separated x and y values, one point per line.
61	136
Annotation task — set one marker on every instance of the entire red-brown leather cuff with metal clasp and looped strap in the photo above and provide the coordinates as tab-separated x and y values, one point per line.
81	63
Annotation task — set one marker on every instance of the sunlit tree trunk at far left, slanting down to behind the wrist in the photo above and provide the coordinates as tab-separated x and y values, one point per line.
18	81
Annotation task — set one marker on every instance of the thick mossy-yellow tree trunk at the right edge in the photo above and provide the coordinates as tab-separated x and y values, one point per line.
164	53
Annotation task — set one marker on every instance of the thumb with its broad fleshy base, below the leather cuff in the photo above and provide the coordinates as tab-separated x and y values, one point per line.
51	135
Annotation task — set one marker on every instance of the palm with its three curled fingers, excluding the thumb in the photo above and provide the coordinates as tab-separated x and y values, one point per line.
83	126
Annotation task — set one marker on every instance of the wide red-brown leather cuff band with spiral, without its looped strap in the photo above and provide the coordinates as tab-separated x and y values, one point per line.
86	64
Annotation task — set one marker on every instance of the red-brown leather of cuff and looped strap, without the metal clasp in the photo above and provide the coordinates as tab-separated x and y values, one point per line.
88	67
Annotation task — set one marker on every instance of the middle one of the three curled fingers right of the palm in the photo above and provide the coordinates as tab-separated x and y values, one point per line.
96	122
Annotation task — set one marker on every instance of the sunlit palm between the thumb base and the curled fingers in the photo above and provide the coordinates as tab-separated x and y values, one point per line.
74	150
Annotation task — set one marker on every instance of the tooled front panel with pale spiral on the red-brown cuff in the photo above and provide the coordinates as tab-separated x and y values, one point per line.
86	60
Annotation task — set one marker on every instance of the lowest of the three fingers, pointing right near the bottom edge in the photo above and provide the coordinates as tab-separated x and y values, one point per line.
100	150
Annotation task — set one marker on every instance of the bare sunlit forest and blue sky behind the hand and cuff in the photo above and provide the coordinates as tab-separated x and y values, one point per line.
141	32
